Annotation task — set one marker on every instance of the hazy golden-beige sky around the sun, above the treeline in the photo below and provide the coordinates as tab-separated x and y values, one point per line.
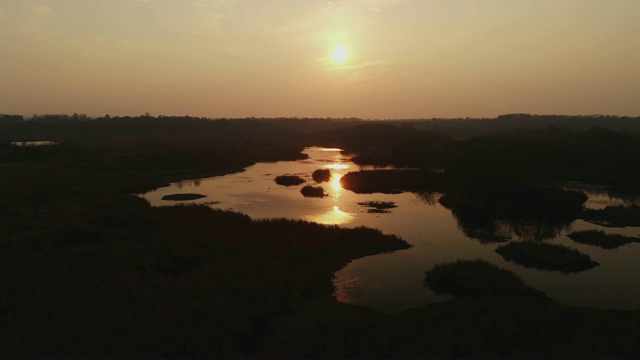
264	58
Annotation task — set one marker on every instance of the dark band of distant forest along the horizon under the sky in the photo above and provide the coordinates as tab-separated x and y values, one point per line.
82	127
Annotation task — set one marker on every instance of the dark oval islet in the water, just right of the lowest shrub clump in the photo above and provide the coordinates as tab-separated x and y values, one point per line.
550	257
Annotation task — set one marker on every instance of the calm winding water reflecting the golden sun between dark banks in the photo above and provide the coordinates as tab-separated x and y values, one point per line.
393	282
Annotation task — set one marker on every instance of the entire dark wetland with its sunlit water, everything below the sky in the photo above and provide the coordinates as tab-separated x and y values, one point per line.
170	237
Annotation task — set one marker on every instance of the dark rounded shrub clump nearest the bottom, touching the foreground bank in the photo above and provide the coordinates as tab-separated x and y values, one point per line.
476	278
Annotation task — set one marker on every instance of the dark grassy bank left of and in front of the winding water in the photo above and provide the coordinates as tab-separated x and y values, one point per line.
86	269
